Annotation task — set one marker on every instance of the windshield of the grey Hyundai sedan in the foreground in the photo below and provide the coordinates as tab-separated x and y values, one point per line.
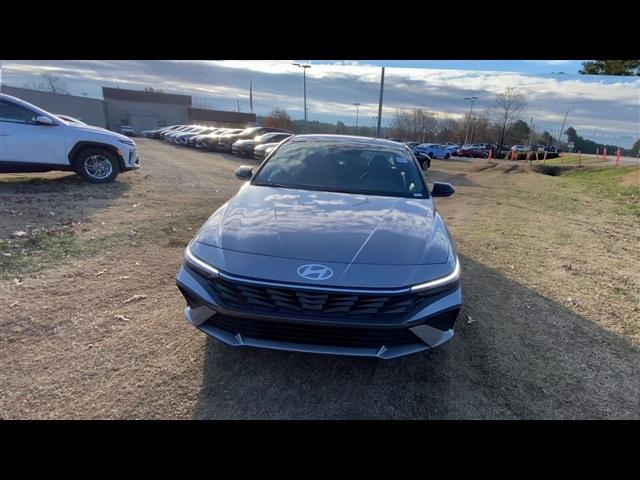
343	167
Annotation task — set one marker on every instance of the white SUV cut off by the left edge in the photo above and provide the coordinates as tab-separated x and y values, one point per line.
34	140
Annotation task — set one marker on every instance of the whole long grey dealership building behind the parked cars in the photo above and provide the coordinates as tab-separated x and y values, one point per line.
139	109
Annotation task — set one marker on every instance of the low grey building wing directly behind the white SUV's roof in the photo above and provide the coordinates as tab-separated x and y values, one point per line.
89	110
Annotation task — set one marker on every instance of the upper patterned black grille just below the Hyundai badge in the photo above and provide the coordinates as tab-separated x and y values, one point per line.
314	303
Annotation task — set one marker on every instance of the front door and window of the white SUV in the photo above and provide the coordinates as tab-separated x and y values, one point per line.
24	141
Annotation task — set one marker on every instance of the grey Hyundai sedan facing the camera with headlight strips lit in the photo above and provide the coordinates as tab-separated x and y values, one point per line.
268	270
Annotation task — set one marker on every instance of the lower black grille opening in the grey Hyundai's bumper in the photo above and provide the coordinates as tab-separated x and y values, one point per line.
315	334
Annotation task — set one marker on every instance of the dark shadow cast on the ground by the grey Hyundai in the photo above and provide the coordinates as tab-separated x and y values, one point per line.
522	356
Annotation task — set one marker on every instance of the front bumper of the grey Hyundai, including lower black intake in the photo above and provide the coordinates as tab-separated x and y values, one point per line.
428	325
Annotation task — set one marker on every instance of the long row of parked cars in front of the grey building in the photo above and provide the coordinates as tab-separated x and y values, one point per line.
253	142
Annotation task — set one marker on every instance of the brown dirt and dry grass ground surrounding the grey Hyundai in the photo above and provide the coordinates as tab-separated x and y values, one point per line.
550	326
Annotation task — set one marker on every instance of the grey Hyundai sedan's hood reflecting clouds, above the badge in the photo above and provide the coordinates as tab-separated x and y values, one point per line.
329	227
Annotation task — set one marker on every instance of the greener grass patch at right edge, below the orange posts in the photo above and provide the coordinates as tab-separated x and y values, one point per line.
608	183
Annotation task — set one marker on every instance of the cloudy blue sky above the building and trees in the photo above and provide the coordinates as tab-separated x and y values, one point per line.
605	109
